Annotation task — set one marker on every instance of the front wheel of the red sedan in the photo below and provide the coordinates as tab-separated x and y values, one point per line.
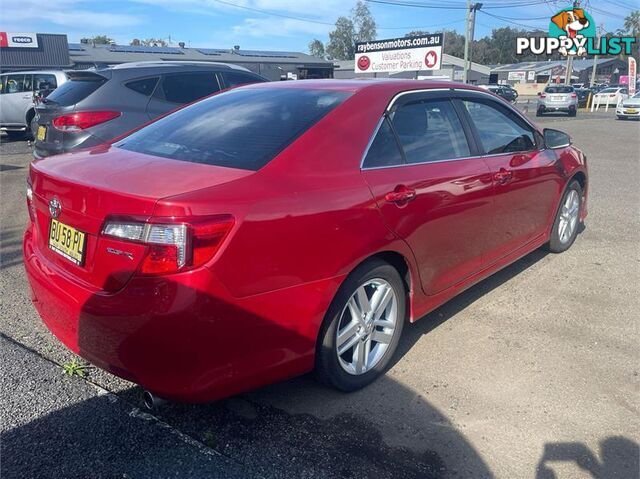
567	216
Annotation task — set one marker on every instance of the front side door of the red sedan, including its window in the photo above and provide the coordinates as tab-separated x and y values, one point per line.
526	177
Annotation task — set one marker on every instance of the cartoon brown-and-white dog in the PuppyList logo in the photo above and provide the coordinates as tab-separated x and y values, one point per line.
575	25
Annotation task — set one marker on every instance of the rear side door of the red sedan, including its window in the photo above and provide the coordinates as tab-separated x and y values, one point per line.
432	189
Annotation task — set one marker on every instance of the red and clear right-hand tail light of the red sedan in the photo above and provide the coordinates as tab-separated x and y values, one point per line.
173	246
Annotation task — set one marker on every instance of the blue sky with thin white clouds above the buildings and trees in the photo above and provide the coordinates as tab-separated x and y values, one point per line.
276	24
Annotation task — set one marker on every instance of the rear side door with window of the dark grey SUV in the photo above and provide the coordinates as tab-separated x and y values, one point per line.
177	89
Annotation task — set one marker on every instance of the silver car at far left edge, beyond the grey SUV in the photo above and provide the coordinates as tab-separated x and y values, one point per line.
17	92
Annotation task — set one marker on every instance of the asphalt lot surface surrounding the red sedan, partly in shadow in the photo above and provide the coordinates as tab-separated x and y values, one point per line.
534	368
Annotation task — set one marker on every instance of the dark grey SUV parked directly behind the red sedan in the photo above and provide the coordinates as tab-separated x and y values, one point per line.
95	106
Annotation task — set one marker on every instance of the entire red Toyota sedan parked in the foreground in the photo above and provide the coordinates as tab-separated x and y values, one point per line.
281	228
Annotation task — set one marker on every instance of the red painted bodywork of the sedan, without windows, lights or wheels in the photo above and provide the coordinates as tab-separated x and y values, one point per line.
303	222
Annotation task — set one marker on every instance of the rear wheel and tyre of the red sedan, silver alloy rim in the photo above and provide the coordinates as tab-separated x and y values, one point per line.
374	277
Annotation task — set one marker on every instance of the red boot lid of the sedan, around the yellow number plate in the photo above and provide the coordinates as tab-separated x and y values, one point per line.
93	185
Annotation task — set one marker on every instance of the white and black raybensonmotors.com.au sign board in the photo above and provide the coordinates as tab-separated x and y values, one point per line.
399	54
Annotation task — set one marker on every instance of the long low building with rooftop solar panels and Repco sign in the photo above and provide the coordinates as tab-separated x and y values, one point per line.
49	51
